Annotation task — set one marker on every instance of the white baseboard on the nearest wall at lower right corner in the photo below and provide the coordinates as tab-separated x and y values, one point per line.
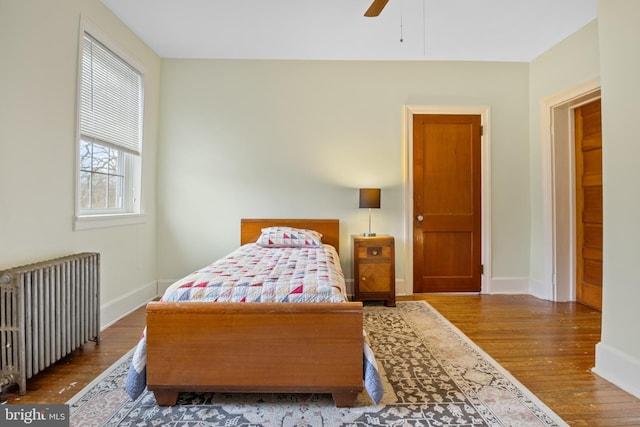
618	368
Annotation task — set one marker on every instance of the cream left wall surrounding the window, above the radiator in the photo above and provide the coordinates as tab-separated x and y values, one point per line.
38	92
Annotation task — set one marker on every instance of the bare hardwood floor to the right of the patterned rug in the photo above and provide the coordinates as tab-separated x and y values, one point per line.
549	347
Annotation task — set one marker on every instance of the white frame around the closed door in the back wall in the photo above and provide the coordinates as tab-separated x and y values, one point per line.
407	155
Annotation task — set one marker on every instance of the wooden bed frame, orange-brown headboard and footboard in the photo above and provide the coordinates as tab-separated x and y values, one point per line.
257	347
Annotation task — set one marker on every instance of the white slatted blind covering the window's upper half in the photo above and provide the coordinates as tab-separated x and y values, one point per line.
111	98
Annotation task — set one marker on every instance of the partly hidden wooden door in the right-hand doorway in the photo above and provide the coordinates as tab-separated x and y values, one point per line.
588	152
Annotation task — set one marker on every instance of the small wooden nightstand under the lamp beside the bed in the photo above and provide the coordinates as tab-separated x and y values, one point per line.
374	269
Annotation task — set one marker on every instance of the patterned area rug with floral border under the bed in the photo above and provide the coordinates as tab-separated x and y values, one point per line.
434	376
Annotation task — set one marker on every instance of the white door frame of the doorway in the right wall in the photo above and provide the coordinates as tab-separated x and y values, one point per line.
559	191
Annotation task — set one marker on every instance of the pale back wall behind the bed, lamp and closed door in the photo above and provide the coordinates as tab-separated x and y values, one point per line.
298	138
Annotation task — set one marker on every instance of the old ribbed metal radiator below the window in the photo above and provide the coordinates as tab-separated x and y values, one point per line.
47	310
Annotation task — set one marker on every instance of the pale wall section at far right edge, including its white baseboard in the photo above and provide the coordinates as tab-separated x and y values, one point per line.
618	354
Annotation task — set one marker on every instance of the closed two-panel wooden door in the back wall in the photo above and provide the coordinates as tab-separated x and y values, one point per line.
447	203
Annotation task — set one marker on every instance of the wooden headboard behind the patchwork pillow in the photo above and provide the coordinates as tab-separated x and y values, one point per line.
250	229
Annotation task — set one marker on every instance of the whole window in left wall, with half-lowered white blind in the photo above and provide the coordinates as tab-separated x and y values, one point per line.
111	100
